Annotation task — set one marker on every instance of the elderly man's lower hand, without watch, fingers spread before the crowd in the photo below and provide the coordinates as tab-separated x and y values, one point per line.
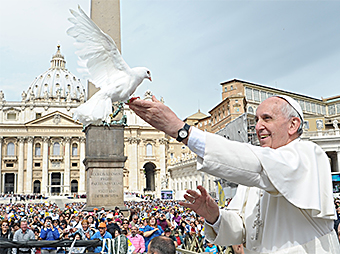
203	204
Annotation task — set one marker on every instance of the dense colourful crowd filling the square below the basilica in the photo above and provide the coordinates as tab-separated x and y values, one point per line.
140	222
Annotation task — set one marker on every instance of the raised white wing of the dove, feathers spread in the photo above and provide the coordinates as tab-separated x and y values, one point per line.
103	59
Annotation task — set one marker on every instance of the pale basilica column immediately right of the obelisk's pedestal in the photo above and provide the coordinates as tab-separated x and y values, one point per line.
133	164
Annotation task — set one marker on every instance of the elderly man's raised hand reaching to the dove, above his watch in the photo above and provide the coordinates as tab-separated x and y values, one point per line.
158	115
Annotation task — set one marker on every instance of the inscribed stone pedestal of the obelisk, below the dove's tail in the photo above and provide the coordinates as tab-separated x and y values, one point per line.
104	164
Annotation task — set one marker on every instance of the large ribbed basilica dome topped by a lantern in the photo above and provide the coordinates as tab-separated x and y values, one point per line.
56	84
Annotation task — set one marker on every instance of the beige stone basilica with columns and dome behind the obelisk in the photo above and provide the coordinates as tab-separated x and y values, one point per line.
42	148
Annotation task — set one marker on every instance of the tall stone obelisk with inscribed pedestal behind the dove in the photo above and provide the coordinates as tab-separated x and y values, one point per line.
104	160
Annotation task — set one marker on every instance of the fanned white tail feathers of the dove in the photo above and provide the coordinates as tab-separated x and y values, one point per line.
94	111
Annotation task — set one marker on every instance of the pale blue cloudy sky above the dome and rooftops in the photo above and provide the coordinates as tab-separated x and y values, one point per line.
190	46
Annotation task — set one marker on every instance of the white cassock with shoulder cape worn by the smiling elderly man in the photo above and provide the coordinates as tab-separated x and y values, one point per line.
284	203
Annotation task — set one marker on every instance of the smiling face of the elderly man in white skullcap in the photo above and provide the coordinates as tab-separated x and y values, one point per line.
272	126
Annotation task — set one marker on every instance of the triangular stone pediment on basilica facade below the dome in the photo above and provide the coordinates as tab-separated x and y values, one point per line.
56	119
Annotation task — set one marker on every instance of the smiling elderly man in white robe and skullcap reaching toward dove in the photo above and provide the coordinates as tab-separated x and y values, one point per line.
284	203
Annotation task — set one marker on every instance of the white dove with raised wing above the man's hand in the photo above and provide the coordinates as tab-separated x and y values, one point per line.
108	70
